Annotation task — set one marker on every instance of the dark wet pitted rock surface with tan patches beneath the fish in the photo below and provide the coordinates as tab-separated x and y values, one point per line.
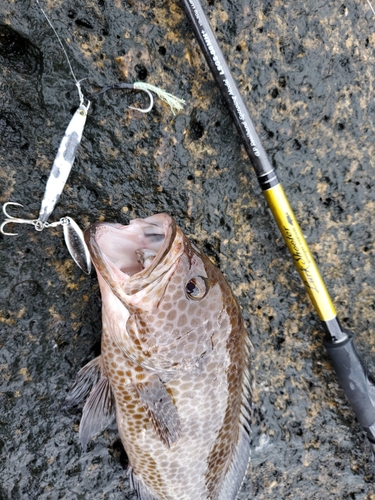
306	72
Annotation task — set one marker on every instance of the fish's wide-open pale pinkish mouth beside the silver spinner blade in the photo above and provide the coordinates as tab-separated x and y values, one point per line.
125	253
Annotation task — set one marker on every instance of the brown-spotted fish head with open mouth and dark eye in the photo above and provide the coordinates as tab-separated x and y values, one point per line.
165	303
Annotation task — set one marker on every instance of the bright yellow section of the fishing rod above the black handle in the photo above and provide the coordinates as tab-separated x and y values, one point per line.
302	257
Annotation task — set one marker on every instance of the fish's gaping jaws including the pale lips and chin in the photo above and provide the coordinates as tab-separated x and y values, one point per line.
115	252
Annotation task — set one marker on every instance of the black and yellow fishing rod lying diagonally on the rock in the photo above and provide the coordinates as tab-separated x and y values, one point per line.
352	374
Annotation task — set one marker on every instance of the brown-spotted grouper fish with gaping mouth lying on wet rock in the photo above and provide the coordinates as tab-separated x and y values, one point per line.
174	363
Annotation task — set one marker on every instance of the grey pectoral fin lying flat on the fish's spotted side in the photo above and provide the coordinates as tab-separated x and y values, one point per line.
160	408
